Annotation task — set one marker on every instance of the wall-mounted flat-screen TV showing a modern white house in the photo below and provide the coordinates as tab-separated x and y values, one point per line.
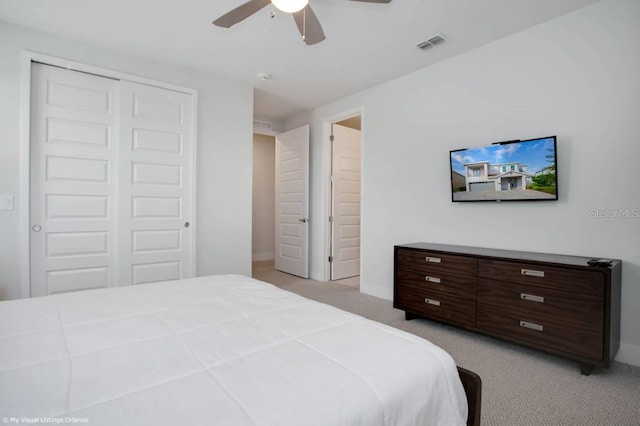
506	171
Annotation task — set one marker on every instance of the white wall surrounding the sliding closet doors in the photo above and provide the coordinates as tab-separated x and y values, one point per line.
224	149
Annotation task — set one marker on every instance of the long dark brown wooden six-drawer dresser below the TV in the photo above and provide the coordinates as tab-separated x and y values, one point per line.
565	305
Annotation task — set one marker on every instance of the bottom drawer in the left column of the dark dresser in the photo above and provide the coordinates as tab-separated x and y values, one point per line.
436	305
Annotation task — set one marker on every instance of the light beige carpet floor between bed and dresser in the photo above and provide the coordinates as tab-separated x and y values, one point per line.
520	386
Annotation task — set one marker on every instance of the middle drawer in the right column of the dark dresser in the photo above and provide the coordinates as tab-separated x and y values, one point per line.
552	304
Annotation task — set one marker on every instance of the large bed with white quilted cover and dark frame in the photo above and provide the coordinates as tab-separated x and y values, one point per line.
224	350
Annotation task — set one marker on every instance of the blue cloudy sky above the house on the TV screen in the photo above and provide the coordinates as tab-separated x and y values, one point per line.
536	154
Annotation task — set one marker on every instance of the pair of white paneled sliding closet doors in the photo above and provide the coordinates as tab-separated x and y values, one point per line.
110	177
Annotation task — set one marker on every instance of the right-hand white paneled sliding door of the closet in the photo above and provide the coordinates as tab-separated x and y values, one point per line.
155	184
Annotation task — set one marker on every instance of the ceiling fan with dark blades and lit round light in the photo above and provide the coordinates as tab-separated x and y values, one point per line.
306	20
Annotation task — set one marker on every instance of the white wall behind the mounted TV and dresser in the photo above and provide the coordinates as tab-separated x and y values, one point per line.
576	77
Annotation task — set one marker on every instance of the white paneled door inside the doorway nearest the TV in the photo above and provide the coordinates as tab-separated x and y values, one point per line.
345	225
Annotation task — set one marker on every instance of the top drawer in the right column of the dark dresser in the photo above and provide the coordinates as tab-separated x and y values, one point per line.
573	280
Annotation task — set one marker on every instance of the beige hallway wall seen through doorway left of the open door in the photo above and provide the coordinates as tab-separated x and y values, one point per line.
264	195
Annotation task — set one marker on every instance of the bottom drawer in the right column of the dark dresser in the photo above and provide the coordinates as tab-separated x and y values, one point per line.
541	332
